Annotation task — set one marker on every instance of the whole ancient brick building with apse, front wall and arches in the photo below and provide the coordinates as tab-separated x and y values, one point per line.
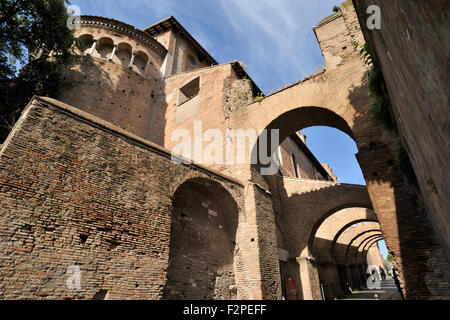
88	181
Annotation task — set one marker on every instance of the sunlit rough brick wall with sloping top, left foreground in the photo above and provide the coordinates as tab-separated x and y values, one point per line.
76	191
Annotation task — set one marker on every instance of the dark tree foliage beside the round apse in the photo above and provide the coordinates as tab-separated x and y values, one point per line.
34	45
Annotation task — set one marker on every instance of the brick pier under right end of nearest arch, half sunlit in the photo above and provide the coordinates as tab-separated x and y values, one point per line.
421	262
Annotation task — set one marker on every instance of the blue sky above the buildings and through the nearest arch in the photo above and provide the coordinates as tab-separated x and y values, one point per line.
274	39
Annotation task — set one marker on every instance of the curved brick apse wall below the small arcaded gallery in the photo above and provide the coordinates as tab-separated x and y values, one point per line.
117	95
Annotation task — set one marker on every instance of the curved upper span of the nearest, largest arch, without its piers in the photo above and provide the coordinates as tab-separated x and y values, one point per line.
312	102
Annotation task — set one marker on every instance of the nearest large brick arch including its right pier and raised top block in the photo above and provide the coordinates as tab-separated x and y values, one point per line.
342	88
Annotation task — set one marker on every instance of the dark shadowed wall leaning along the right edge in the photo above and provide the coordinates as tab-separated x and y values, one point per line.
413	47
